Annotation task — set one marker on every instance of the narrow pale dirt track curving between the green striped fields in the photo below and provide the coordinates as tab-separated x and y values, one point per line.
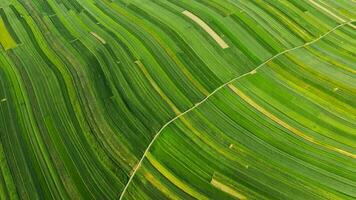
137	166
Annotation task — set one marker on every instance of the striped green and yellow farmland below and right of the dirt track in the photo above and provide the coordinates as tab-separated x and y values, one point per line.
284	132
